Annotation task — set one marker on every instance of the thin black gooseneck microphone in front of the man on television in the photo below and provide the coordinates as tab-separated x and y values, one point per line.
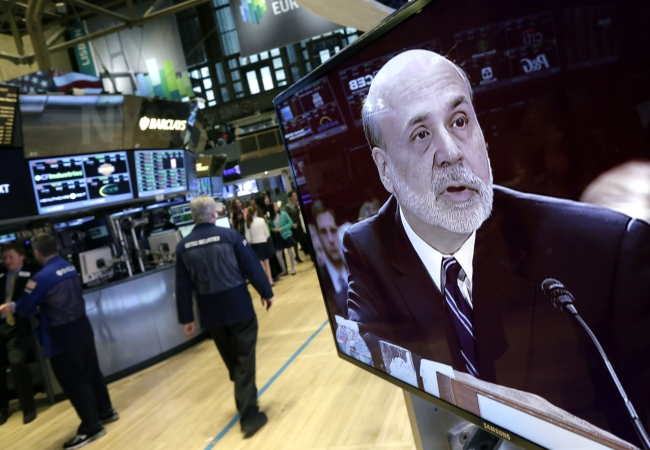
563	299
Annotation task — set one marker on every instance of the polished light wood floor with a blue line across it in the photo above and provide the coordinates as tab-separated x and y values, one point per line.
314	400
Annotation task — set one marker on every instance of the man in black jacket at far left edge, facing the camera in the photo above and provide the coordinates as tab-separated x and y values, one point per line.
15	333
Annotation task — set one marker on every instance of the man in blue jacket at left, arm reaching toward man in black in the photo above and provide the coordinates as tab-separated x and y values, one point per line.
67	337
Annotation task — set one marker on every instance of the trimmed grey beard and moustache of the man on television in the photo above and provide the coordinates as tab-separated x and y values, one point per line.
443	212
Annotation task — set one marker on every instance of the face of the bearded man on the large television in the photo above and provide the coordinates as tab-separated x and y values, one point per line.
435	157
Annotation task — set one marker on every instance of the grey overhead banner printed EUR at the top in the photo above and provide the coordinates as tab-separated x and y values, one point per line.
266	24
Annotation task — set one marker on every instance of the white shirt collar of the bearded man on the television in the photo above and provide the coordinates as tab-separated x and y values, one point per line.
432	258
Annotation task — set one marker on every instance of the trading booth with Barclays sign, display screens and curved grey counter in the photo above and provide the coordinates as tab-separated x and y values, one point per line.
109	176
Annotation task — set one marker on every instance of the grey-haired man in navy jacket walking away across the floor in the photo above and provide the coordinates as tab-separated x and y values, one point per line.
214	262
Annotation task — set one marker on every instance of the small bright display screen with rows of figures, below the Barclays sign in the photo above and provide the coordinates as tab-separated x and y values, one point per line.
160	172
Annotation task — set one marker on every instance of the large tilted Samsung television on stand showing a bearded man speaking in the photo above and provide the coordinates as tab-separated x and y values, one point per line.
512	314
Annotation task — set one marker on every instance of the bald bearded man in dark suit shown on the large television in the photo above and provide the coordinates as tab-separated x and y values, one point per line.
451	267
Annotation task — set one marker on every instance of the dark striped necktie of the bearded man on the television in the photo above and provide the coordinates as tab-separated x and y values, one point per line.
460	314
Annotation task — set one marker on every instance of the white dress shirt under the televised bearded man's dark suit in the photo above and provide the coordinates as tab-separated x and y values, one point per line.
432	260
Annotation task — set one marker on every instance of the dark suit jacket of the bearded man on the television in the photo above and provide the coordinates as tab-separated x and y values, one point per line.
523	342
